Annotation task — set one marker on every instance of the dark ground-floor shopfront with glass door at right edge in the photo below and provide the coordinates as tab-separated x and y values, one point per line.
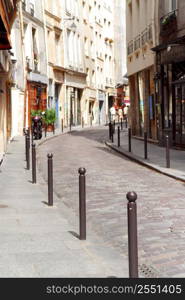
171	92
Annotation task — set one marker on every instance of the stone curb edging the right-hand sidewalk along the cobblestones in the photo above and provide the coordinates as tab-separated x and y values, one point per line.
131	157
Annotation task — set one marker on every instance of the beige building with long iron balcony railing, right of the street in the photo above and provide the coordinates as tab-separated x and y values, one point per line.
141	37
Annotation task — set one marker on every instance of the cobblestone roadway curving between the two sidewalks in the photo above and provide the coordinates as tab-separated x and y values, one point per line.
160	204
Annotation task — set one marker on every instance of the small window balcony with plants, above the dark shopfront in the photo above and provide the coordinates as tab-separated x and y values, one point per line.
168	24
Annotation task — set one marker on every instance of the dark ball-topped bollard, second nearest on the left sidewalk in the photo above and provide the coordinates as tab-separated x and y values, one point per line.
82	203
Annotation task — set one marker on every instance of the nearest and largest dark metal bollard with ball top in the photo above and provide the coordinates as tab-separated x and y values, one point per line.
132	234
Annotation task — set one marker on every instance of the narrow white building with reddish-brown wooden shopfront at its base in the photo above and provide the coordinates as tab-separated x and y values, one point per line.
34	56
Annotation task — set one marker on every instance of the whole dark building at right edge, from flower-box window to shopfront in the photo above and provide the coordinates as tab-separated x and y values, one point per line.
170	71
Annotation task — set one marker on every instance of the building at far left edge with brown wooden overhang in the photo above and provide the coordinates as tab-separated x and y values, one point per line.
8	10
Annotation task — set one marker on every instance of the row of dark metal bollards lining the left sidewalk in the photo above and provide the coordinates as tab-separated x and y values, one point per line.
131	206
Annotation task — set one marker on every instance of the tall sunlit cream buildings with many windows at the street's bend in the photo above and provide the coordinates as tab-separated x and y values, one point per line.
80	39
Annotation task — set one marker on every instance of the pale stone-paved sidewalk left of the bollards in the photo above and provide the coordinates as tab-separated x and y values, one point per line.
40	241
